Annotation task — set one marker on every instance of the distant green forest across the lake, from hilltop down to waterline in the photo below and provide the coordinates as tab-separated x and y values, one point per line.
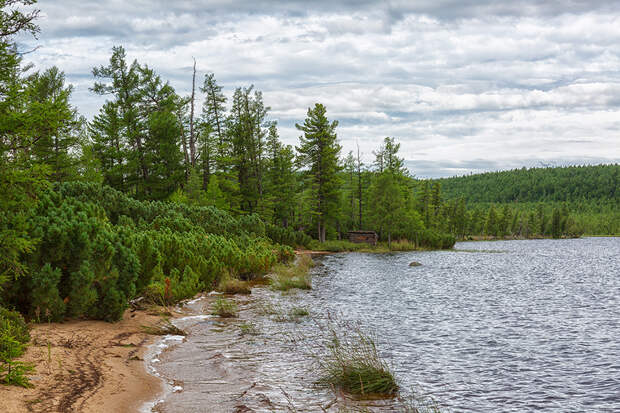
583	200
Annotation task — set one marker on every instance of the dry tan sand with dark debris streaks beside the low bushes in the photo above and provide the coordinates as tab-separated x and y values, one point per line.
88	366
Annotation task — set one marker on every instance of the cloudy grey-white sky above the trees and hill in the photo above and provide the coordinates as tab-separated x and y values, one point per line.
465	86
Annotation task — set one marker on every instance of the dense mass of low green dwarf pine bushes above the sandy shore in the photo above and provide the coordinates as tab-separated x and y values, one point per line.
97	249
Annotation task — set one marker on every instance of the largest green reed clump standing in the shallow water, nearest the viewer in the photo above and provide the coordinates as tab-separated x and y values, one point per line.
352	364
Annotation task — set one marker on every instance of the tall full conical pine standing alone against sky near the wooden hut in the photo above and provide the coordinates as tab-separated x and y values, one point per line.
319	151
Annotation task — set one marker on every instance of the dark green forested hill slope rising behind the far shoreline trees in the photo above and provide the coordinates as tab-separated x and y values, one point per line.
571	184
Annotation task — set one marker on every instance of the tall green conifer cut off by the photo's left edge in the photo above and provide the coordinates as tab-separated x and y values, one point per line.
20	180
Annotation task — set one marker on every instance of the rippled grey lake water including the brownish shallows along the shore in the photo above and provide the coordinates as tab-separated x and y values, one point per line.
509	326
